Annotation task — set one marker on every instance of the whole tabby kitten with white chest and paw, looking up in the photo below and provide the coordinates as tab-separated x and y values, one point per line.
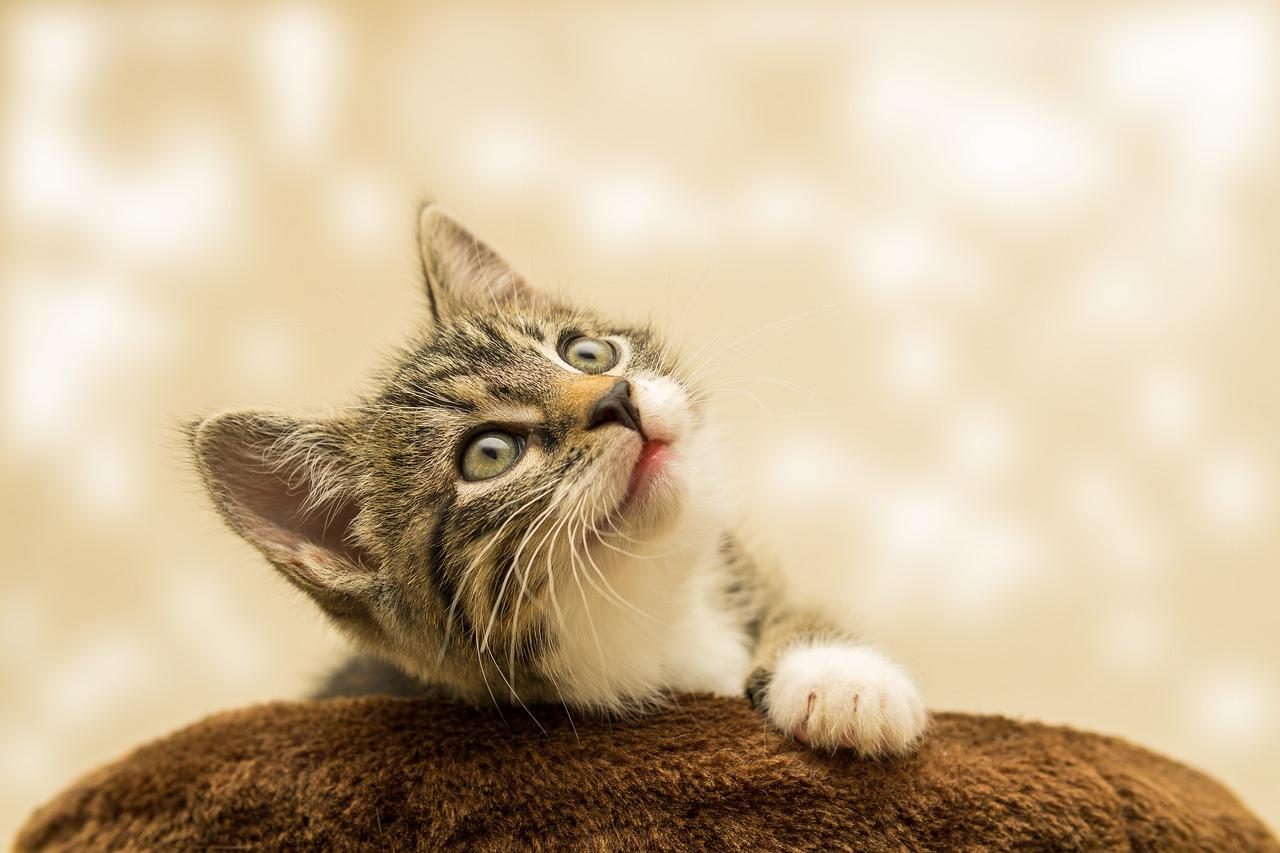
531	509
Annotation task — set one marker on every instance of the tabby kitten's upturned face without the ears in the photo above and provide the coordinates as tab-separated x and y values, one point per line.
497	471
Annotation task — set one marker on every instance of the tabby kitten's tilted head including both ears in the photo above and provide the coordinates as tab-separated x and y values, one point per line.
515	455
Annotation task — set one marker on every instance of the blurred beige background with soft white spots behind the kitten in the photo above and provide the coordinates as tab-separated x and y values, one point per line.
993	291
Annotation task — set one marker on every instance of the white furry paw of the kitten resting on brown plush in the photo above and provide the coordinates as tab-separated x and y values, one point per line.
845	696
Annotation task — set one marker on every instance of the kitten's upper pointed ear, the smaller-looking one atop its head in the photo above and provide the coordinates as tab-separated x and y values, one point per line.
460	270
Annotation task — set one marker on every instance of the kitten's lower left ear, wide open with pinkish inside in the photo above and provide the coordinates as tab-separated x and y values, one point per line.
287	487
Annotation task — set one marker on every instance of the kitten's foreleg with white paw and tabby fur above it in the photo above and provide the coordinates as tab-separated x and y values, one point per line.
821	687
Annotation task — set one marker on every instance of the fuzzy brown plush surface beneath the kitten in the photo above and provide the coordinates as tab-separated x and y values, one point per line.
419	774
